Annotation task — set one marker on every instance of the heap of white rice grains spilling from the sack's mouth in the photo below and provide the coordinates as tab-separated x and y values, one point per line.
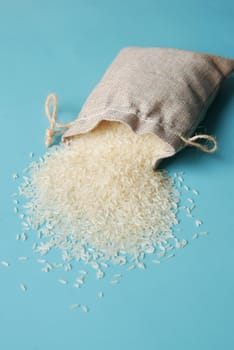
98	197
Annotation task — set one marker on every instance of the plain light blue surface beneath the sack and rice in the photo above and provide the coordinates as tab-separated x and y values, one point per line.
65	46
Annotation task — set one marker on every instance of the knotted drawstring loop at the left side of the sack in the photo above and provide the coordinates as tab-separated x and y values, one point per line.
55	127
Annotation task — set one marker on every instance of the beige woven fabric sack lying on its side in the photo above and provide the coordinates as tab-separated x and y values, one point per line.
155	90
